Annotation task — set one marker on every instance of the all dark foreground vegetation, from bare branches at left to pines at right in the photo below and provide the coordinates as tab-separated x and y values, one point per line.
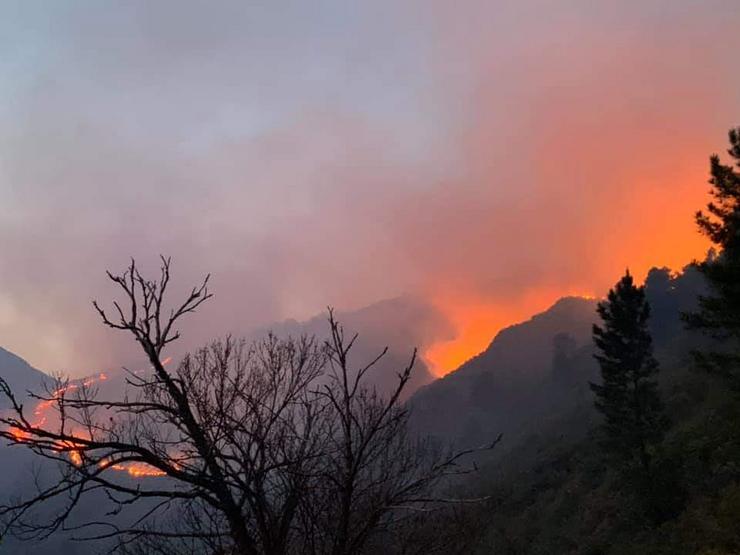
279	447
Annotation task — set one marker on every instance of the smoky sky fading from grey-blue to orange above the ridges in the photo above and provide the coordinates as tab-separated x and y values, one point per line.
486	157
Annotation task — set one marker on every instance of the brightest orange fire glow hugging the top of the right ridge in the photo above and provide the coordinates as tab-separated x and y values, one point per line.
658	231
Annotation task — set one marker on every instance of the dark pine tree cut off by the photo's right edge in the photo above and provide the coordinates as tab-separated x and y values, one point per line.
719	311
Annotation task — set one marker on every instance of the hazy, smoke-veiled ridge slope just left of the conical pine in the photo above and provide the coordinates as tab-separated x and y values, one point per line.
530	372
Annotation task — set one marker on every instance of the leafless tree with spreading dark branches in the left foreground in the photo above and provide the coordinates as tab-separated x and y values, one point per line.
271	448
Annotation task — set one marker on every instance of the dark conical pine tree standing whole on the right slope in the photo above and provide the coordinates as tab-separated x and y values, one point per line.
628	397
